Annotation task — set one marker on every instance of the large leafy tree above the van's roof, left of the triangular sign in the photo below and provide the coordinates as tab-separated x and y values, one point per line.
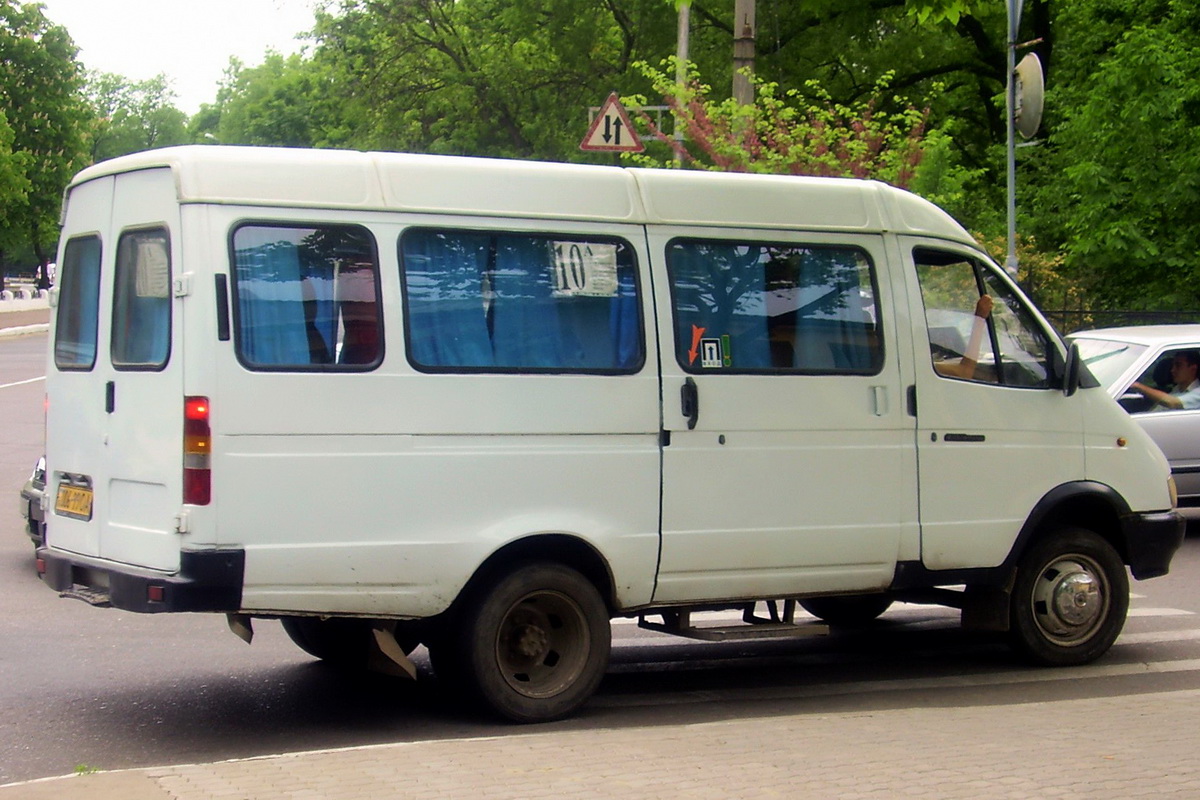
487	77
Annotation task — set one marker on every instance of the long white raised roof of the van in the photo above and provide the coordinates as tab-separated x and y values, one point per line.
495	188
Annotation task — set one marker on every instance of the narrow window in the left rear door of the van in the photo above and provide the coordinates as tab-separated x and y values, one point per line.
79	311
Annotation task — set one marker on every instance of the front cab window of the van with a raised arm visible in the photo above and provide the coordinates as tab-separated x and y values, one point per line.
1006	346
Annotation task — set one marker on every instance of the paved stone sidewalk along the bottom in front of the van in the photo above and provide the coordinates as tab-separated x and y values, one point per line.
1121	748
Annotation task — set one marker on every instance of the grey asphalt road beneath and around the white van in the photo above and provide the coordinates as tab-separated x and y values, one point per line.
82	687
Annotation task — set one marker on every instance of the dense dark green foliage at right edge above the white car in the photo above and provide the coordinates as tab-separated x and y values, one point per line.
1121	182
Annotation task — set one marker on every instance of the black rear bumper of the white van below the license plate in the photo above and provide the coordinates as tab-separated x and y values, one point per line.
208	581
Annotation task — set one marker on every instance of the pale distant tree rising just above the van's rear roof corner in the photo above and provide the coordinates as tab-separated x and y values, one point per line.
133	116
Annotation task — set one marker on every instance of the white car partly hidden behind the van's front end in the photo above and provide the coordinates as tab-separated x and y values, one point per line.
1119	357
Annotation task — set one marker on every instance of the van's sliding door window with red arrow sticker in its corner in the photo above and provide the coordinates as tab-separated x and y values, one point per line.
775	308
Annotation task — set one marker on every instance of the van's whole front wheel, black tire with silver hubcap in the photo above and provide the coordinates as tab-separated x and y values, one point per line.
1070	600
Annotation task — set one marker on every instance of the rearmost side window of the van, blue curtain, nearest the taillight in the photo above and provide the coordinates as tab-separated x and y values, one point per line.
307	298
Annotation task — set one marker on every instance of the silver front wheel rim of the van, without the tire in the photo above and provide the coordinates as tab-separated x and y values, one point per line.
1071	599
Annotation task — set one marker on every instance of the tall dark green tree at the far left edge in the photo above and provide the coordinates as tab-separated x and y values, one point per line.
41	92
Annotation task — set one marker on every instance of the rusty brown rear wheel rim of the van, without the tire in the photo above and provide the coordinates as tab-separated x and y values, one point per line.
543	645
